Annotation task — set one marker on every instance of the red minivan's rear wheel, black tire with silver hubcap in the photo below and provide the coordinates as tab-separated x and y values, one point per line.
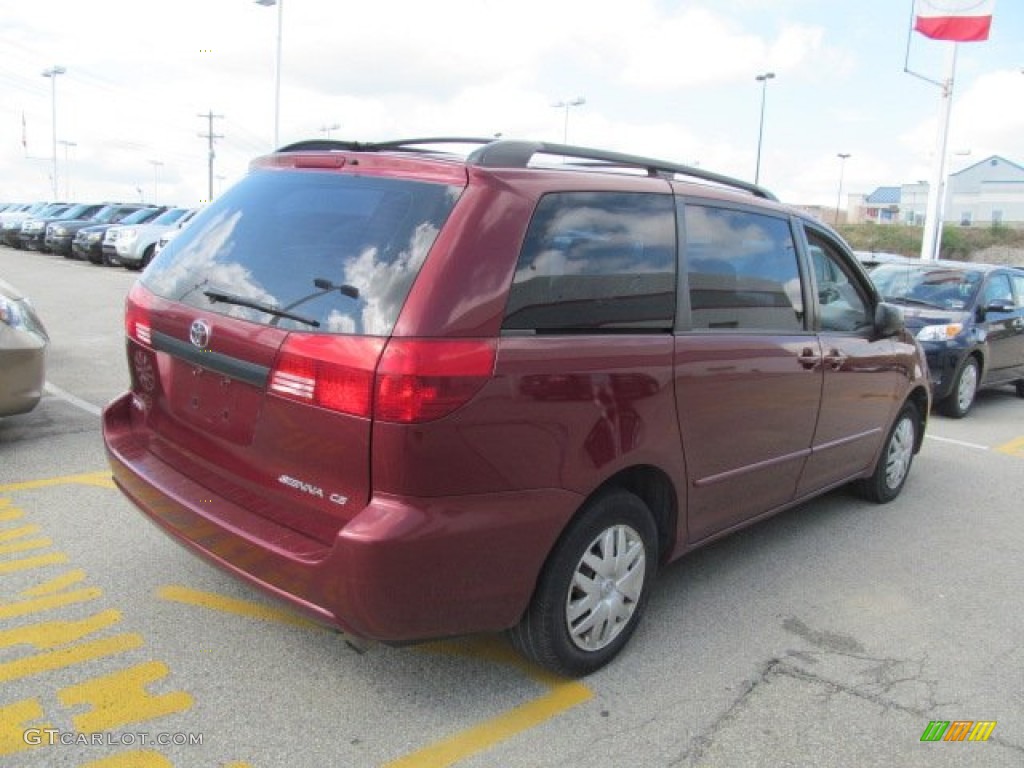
589	599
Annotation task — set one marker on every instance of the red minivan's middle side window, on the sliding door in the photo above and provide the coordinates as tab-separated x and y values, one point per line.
743	271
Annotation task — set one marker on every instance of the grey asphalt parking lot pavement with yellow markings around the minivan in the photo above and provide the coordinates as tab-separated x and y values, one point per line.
831	635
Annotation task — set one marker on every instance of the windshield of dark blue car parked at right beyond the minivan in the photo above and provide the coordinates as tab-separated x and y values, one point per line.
941	287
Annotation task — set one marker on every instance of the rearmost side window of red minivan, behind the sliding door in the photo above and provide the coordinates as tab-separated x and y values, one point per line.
596	262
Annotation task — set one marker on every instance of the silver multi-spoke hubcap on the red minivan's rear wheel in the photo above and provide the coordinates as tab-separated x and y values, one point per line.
607	587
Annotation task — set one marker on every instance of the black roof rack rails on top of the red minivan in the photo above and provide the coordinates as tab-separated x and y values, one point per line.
517	154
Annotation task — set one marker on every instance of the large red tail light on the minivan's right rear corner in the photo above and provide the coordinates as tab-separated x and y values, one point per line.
402	380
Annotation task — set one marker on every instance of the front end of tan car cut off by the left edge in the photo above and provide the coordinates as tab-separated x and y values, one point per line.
23	353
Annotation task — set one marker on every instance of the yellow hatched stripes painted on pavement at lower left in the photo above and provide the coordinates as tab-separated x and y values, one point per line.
100	704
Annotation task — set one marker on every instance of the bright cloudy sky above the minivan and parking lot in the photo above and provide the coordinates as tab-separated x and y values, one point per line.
671	79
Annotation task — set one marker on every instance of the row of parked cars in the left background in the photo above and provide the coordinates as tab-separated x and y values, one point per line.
114	234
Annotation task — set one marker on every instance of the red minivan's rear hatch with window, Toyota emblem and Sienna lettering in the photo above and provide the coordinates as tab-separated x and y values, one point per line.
254	337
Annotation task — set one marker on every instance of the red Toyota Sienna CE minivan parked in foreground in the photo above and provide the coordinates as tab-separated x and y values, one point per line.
417	394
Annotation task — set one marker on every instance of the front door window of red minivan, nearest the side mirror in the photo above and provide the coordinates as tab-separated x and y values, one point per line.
844	306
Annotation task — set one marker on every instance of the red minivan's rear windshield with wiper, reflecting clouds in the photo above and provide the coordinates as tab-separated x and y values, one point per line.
307	250
